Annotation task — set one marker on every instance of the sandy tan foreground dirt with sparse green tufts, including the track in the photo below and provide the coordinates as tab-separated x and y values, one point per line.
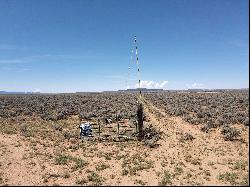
43	153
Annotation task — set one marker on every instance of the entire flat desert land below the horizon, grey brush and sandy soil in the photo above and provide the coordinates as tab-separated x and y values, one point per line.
189	139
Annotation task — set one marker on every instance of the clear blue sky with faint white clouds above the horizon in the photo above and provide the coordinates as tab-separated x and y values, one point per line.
68	46
